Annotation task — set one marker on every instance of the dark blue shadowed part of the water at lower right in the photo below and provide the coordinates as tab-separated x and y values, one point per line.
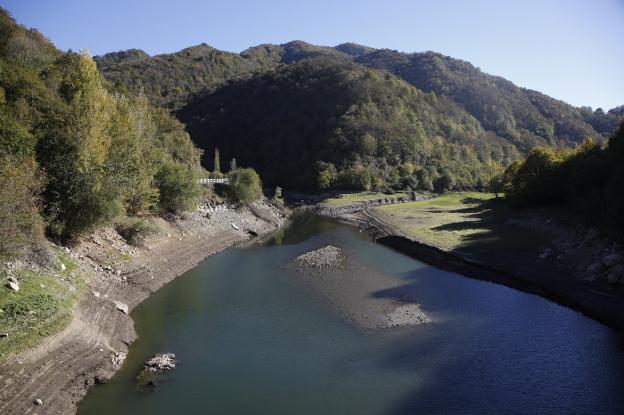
499	351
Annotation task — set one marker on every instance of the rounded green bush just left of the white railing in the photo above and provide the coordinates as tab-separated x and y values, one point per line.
178	187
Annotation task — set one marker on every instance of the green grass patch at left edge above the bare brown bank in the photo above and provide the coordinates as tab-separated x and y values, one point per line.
43	305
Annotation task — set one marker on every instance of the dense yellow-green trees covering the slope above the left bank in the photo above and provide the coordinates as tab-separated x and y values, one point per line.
73	153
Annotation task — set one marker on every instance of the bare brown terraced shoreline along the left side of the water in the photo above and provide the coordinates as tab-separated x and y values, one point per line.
64	366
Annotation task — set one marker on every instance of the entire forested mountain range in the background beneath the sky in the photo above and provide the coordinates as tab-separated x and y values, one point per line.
310	106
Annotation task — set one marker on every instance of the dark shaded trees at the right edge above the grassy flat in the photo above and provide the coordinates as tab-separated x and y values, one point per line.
589	177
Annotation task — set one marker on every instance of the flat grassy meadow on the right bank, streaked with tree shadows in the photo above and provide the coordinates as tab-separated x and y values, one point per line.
469	221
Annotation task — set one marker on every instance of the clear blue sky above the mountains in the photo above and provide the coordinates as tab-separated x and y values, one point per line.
570	49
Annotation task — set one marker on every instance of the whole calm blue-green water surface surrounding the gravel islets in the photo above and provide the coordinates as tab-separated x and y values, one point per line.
251	340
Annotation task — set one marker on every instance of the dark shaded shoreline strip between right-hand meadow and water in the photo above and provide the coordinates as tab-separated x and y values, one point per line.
577	295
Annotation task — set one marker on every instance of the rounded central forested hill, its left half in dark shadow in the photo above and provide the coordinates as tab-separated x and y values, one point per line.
322	122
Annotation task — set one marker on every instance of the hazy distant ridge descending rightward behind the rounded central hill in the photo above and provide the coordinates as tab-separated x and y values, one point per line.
525	117
